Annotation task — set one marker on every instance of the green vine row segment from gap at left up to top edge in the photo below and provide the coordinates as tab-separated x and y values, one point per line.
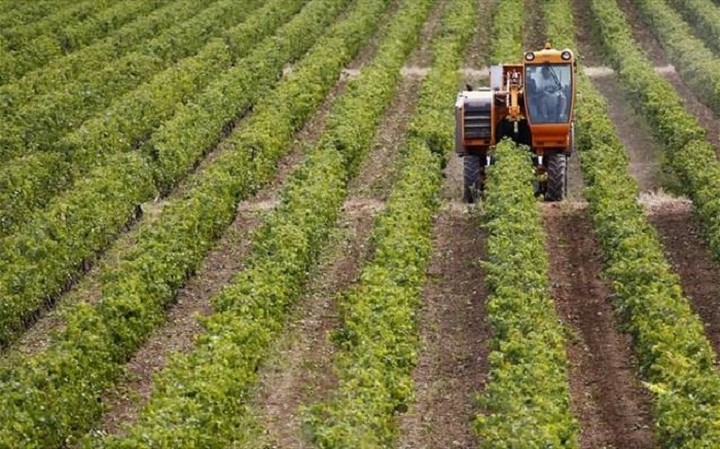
179	143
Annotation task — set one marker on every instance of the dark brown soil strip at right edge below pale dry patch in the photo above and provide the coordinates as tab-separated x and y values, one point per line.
687	252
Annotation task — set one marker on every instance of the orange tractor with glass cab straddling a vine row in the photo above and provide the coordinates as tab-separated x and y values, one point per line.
530	103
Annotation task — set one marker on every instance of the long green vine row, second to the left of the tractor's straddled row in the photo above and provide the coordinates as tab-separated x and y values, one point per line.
249	312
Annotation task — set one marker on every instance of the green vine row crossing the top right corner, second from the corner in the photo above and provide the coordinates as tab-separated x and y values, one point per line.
698	66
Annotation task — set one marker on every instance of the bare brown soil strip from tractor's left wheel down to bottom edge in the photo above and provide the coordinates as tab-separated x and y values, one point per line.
453	360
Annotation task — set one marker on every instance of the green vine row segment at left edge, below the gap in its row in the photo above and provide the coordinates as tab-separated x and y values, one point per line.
40	262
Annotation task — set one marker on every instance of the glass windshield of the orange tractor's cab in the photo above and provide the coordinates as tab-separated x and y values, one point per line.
547	92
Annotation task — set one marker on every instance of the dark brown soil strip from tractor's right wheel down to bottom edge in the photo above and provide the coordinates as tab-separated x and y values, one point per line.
612	407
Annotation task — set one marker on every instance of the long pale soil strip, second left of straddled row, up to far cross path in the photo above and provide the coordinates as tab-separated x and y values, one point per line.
301	371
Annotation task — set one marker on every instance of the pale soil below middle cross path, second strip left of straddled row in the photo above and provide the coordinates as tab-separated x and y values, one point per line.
300	372
